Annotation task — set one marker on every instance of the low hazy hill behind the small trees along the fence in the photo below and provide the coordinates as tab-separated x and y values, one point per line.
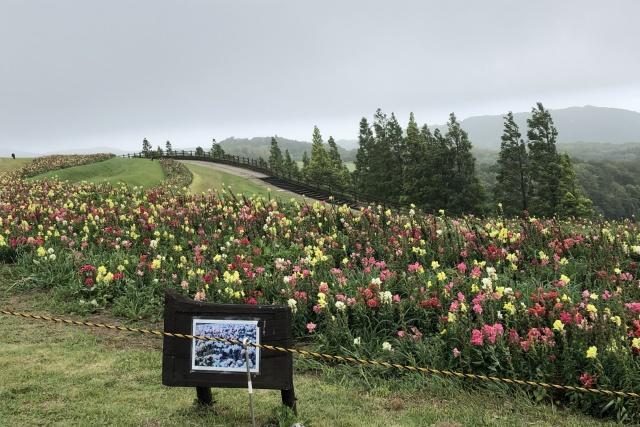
260	146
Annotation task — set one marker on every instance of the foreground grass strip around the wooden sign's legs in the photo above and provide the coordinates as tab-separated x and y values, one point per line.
53	374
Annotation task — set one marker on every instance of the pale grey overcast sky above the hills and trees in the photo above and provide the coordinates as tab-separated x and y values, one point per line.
109	73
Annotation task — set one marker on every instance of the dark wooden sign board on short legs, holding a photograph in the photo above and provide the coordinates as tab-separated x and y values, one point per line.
205	364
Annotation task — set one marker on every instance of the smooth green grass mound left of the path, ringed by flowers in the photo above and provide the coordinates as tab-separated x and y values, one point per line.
140	172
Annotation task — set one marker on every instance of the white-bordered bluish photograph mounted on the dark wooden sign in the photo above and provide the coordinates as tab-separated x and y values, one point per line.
222	356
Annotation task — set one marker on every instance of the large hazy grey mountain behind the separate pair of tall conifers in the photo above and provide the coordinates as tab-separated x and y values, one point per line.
575	124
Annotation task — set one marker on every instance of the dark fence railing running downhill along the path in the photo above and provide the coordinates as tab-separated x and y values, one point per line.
260	165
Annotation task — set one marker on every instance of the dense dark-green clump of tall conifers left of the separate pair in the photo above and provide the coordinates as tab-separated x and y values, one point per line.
431	171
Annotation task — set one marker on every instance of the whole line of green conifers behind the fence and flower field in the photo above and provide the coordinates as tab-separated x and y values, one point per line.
436	169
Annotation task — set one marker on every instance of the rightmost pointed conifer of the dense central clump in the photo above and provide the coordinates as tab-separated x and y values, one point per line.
465	194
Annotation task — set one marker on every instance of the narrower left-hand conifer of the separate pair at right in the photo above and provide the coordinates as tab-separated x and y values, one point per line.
512	180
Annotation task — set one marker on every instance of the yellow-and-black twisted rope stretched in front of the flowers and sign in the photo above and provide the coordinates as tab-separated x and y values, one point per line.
337	358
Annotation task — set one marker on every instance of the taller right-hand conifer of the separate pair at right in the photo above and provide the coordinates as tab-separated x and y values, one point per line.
544	163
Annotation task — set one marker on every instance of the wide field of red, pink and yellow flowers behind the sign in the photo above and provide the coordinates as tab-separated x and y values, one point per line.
549	300
